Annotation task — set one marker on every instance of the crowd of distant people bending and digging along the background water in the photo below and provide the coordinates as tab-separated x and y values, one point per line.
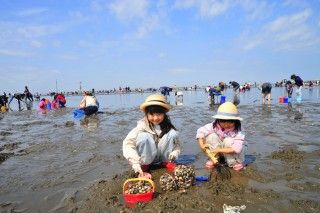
90	105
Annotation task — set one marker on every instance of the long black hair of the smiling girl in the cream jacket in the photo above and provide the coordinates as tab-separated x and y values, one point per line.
166	124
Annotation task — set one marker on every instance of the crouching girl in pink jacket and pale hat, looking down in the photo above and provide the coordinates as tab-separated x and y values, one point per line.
223	136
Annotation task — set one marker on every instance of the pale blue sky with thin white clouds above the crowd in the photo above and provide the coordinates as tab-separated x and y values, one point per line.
105	44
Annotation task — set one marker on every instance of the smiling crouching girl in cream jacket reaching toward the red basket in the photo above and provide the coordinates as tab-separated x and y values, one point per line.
154	140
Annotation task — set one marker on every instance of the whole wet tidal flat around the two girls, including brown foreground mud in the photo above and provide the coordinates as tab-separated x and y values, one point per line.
55	163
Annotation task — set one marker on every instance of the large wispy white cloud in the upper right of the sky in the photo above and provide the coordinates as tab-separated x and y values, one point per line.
284	33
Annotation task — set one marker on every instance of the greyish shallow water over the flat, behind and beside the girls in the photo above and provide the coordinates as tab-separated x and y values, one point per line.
52	159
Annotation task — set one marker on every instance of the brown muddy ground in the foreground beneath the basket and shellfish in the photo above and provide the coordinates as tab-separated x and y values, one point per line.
106	195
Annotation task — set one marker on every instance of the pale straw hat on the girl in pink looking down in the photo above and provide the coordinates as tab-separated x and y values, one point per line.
227	111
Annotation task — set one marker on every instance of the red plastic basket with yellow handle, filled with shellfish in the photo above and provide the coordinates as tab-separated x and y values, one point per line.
133	198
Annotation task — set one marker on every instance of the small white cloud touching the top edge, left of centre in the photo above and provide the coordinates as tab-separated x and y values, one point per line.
127	9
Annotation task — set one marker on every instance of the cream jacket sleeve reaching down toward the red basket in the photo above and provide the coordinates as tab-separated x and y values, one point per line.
129	147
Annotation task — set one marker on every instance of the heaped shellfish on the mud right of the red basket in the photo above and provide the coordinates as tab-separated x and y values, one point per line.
183	178
